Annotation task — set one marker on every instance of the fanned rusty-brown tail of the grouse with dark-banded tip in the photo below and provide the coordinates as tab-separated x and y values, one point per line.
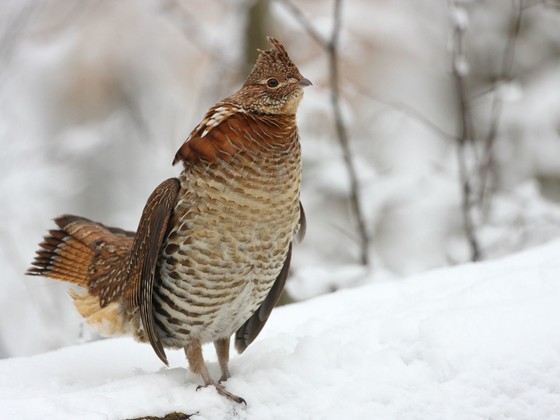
92	256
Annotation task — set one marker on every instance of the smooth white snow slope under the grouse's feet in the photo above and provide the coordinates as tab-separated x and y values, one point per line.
478	341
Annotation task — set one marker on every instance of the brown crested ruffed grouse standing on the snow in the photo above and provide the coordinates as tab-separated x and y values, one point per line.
211	254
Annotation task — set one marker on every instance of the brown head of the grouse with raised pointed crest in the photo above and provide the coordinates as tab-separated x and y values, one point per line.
275	85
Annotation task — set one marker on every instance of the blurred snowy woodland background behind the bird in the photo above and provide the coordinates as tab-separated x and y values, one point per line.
97	95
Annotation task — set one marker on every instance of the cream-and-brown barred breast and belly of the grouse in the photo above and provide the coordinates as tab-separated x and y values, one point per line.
231	229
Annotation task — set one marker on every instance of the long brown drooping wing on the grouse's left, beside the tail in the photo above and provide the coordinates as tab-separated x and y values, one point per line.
144	256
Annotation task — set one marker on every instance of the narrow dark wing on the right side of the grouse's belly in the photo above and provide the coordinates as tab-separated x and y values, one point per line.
253	326
